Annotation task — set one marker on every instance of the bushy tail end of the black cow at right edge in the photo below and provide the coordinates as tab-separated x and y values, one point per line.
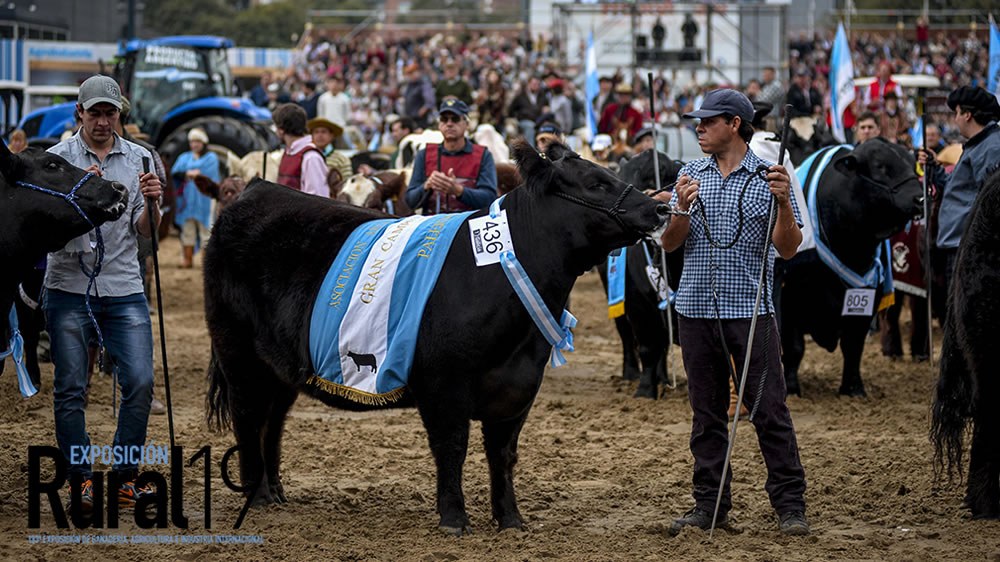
952	408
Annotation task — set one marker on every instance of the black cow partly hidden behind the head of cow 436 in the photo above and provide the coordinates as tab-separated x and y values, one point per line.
641	290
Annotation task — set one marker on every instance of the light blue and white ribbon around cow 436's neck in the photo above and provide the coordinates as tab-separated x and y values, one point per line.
560	334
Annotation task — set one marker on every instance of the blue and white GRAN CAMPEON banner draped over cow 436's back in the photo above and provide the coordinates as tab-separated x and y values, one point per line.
365	319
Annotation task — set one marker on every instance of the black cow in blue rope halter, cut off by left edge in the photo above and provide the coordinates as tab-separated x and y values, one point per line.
46	203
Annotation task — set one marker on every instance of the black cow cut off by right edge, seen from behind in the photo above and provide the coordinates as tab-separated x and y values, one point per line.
968	387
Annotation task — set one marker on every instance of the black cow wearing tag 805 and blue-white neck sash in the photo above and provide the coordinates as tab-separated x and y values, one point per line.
857	199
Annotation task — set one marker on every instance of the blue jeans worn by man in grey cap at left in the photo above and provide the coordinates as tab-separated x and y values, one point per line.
128	336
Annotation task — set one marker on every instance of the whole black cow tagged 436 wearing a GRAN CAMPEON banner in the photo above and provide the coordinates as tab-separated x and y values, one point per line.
282	265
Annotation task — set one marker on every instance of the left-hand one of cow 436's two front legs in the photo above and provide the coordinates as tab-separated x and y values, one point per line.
448	436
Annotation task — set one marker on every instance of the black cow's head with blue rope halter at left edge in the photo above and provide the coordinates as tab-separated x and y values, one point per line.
35	222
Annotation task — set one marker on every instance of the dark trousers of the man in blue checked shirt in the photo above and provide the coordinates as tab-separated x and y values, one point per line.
708	391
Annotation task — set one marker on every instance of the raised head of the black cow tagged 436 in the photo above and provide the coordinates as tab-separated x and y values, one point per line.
604	211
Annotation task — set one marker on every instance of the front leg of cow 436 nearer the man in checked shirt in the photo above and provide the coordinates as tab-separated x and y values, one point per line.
500	440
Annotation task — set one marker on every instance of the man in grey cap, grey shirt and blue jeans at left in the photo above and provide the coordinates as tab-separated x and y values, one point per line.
116	298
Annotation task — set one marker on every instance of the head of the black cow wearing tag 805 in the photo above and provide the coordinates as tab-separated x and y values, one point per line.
884	192
